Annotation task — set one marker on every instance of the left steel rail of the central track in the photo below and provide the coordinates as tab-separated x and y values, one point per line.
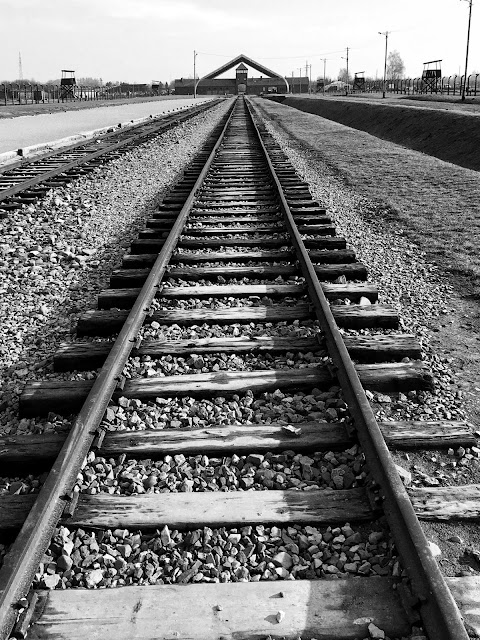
22	560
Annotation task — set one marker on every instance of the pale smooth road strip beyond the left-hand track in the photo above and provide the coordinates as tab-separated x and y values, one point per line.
25	131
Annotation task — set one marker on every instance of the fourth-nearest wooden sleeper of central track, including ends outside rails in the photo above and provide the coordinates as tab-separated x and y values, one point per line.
65	397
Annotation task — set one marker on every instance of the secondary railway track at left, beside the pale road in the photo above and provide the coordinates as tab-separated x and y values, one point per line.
23	182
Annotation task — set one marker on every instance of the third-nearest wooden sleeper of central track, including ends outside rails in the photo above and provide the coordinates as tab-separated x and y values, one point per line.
314	436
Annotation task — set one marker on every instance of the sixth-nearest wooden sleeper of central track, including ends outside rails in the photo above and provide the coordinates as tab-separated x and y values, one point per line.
105	323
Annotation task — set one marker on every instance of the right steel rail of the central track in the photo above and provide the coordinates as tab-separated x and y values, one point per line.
438	609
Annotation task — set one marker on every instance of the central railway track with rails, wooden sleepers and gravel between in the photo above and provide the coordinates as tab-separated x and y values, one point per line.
225	467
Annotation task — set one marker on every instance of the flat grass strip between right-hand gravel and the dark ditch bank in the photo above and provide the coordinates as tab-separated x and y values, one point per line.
435	202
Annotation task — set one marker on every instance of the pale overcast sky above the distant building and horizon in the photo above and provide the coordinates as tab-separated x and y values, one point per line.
144	40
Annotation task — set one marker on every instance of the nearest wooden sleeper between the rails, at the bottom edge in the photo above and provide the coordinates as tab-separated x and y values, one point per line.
321	609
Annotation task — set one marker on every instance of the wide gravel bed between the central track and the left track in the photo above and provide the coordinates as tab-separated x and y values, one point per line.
57	254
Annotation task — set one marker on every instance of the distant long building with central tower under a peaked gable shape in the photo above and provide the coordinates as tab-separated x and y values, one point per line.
272	82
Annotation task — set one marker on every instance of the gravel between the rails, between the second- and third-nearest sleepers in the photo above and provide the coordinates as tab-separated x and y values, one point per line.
201	473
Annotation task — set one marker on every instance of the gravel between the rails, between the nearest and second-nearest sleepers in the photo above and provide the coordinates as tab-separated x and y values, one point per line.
121	557
